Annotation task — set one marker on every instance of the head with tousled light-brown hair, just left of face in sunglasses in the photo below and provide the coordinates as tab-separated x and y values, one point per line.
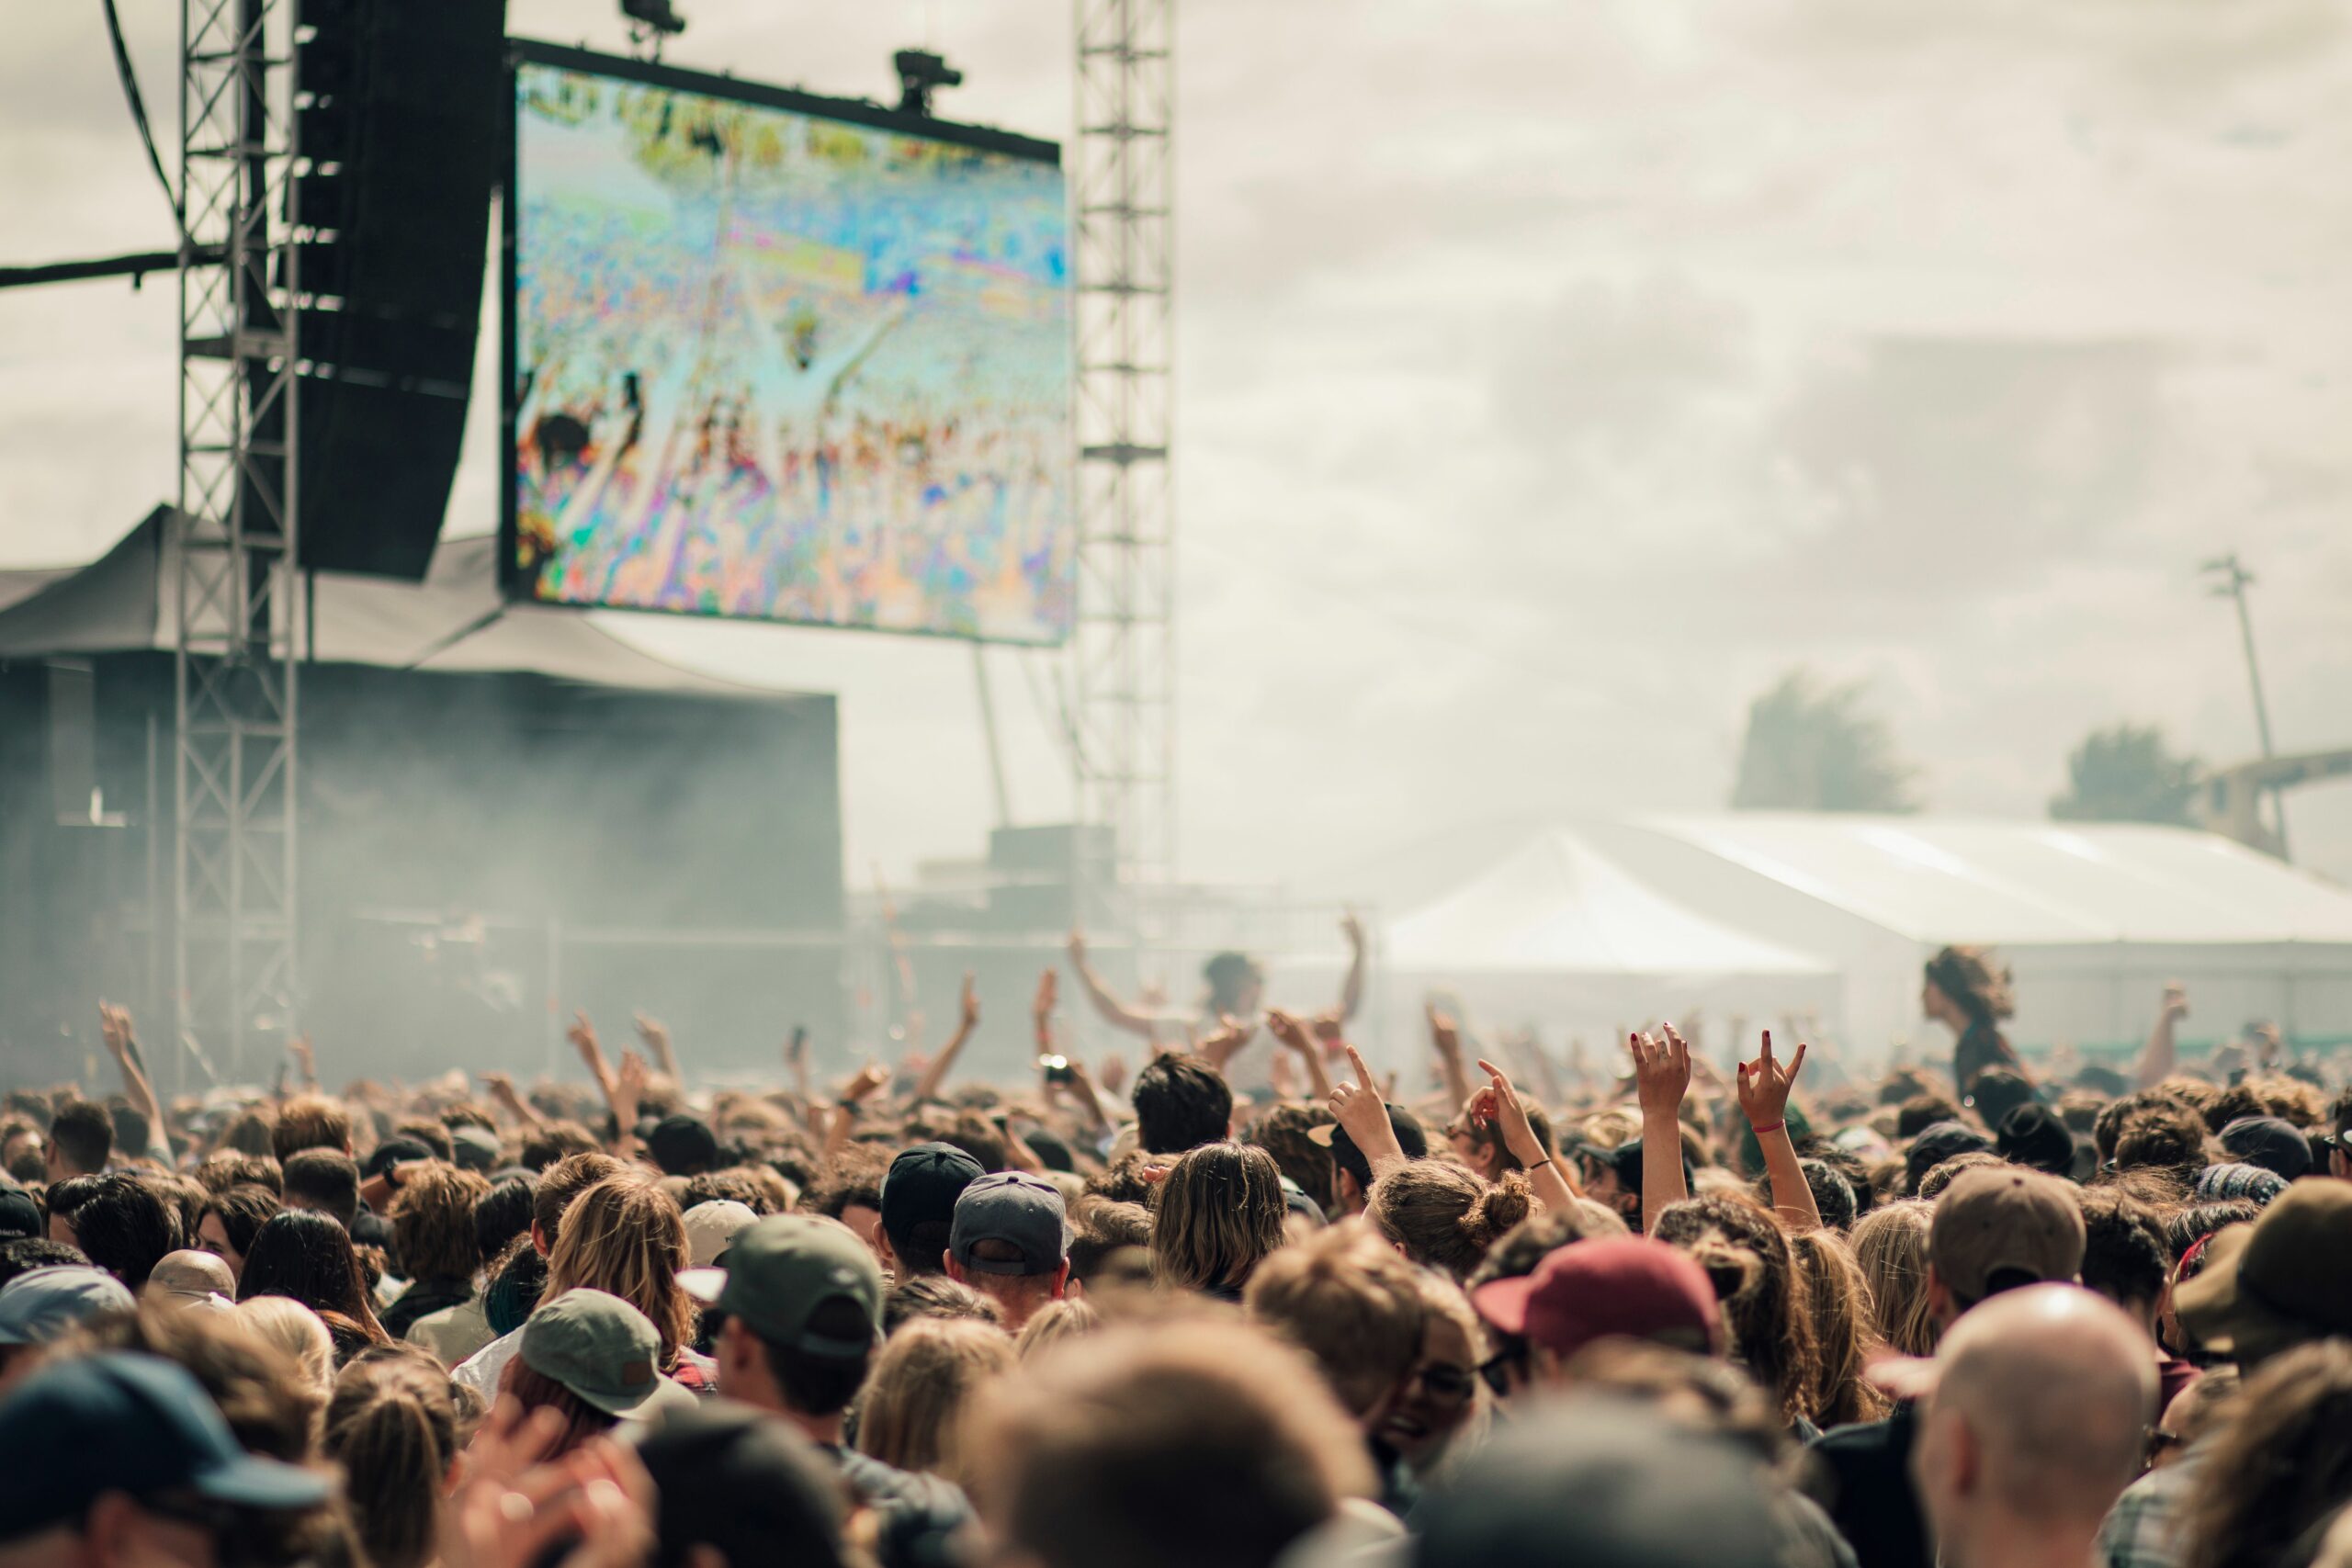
1354	1306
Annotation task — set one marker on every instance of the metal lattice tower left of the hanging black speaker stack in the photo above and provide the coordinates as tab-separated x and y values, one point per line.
236	591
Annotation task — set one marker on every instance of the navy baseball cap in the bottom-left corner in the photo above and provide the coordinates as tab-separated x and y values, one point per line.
128	1423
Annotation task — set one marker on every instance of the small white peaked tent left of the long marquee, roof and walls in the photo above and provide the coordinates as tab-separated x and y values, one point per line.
1563	939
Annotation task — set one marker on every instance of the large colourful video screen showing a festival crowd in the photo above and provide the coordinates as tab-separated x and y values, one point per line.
787	366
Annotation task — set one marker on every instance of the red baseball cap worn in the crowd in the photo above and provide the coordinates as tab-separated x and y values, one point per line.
1596	1289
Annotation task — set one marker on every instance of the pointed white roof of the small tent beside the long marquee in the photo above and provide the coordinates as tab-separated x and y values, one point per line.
1558	906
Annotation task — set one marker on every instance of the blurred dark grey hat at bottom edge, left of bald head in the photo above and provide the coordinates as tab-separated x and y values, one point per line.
1603	1482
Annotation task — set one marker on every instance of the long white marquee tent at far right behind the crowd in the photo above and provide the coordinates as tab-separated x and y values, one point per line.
2092	918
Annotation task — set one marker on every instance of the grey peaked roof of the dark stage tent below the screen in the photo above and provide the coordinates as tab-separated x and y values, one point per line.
453	622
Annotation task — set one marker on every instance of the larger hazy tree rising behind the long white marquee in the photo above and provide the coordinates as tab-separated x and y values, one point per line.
1815	749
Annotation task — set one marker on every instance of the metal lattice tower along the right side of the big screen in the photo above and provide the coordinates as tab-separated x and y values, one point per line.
1125	657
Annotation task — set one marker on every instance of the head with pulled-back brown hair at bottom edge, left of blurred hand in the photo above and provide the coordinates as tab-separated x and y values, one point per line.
394	1428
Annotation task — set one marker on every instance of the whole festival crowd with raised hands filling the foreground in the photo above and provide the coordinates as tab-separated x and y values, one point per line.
1236	1306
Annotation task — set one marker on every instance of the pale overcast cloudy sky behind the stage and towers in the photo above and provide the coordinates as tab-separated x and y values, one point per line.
1553	380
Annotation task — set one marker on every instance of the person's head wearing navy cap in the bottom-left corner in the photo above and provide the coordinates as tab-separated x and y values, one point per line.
121	1459
